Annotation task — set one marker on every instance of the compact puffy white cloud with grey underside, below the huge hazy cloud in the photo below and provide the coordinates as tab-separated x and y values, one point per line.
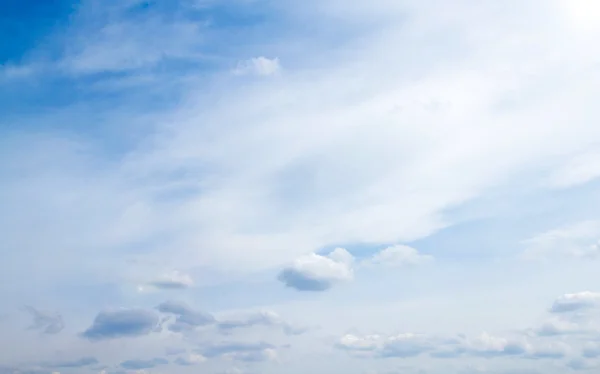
314	272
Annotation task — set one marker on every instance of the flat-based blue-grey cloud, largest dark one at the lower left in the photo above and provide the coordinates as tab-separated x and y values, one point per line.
122	323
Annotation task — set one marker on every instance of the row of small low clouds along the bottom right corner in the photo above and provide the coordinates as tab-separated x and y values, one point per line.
573	332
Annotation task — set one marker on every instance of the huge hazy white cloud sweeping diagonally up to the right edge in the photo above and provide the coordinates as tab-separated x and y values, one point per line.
392	154
